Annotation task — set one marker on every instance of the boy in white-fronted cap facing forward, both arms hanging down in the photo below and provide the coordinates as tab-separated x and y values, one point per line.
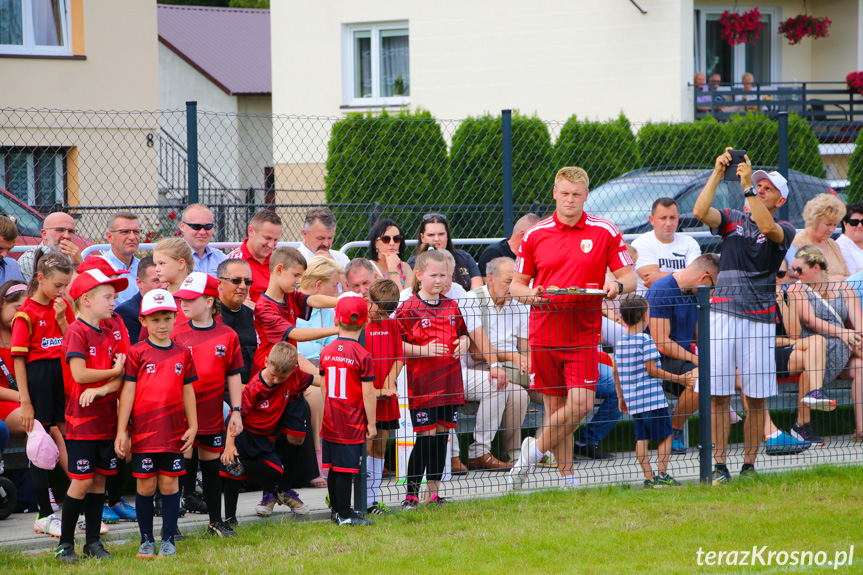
156	395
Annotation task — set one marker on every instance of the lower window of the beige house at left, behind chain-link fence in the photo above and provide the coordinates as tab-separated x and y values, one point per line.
36	176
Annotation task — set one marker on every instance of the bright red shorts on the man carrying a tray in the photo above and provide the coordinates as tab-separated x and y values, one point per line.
554	371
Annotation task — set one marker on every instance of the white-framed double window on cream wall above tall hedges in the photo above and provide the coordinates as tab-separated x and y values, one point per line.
376	64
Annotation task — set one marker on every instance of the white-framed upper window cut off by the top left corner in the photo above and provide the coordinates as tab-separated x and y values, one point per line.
35	27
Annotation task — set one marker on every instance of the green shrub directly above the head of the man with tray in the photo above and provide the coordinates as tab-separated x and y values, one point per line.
604	149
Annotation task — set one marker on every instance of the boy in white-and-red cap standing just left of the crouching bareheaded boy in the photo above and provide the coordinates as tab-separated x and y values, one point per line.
218	359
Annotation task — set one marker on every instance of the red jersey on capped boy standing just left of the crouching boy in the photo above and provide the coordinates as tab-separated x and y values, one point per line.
216	353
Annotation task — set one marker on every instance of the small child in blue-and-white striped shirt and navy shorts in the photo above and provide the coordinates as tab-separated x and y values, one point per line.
638	378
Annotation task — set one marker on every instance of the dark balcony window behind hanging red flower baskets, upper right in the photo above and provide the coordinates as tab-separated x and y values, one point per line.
713	55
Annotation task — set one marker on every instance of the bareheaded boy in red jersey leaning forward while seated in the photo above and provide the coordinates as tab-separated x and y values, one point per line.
266	411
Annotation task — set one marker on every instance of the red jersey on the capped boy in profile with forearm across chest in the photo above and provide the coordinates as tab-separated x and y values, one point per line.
98	348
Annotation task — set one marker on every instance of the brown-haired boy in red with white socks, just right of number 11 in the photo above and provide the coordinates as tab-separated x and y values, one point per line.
384	342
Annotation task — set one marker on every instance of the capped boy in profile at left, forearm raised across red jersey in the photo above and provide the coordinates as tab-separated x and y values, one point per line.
96	368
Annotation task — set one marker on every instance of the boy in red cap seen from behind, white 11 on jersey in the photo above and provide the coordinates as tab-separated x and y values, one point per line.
349	406
